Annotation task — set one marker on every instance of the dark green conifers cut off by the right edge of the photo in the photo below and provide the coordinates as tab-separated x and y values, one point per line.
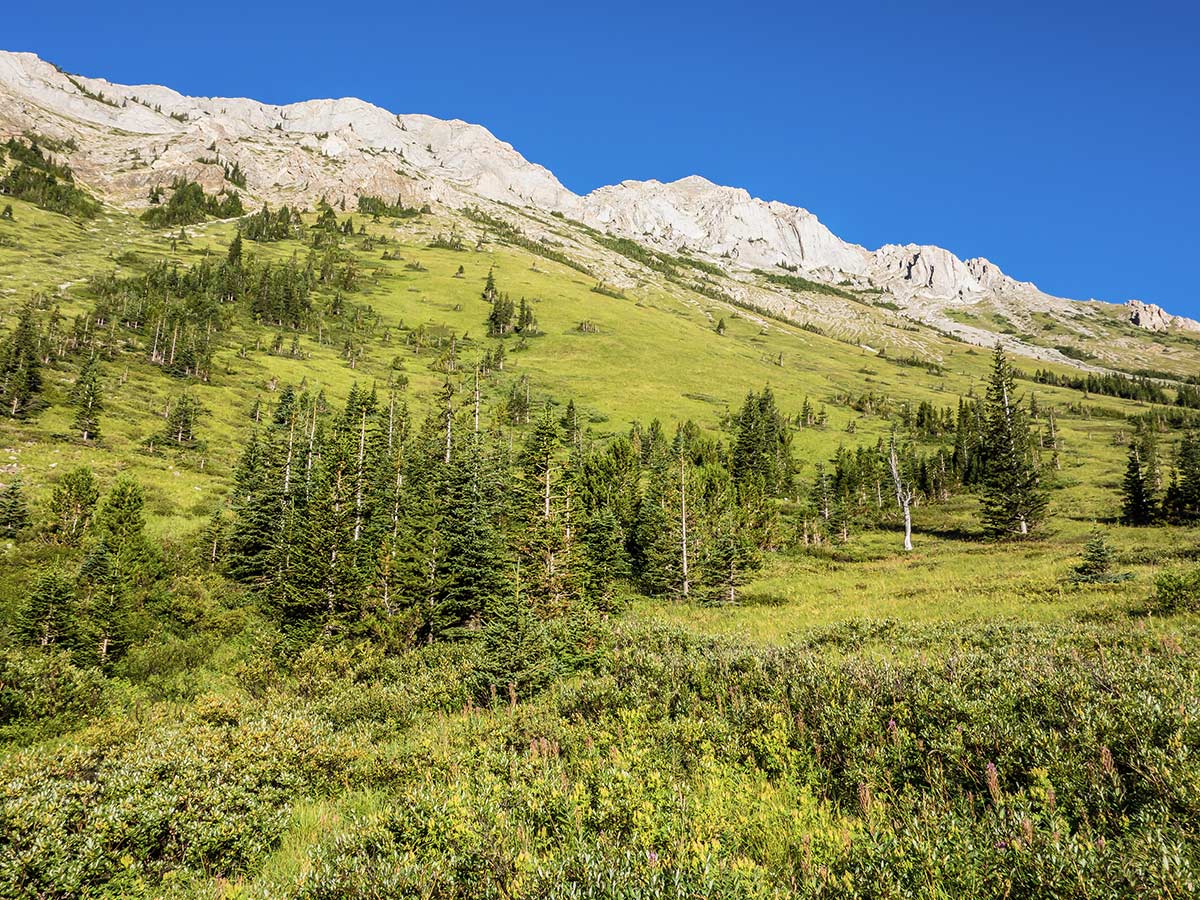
1148	497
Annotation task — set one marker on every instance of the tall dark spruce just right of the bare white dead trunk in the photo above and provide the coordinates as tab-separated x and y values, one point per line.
1013	500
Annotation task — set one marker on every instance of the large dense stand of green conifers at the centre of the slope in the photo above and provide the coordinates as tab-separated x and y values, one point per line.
359	519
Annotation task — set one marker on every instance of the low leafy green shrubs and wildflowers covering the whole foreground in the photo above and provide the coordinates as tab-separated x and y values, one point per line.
988	761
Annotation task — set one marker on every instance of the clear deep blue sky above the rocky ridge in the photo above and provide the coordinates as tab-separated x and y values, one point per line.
1060	140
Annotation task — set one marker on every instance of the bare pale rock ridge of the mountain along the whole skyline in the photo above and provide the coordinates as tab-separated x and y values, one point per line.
131	139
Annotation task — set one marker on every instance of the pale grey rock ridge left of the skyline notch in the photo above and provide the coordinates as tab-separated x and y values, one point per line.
142	135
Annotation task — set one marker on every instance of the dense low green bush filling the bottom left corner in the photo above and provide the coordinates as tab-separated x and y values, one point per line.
129	802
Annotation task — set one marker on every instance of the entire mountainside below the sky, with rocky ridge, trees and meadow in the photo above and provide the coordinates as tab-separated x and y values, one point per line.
380	519
